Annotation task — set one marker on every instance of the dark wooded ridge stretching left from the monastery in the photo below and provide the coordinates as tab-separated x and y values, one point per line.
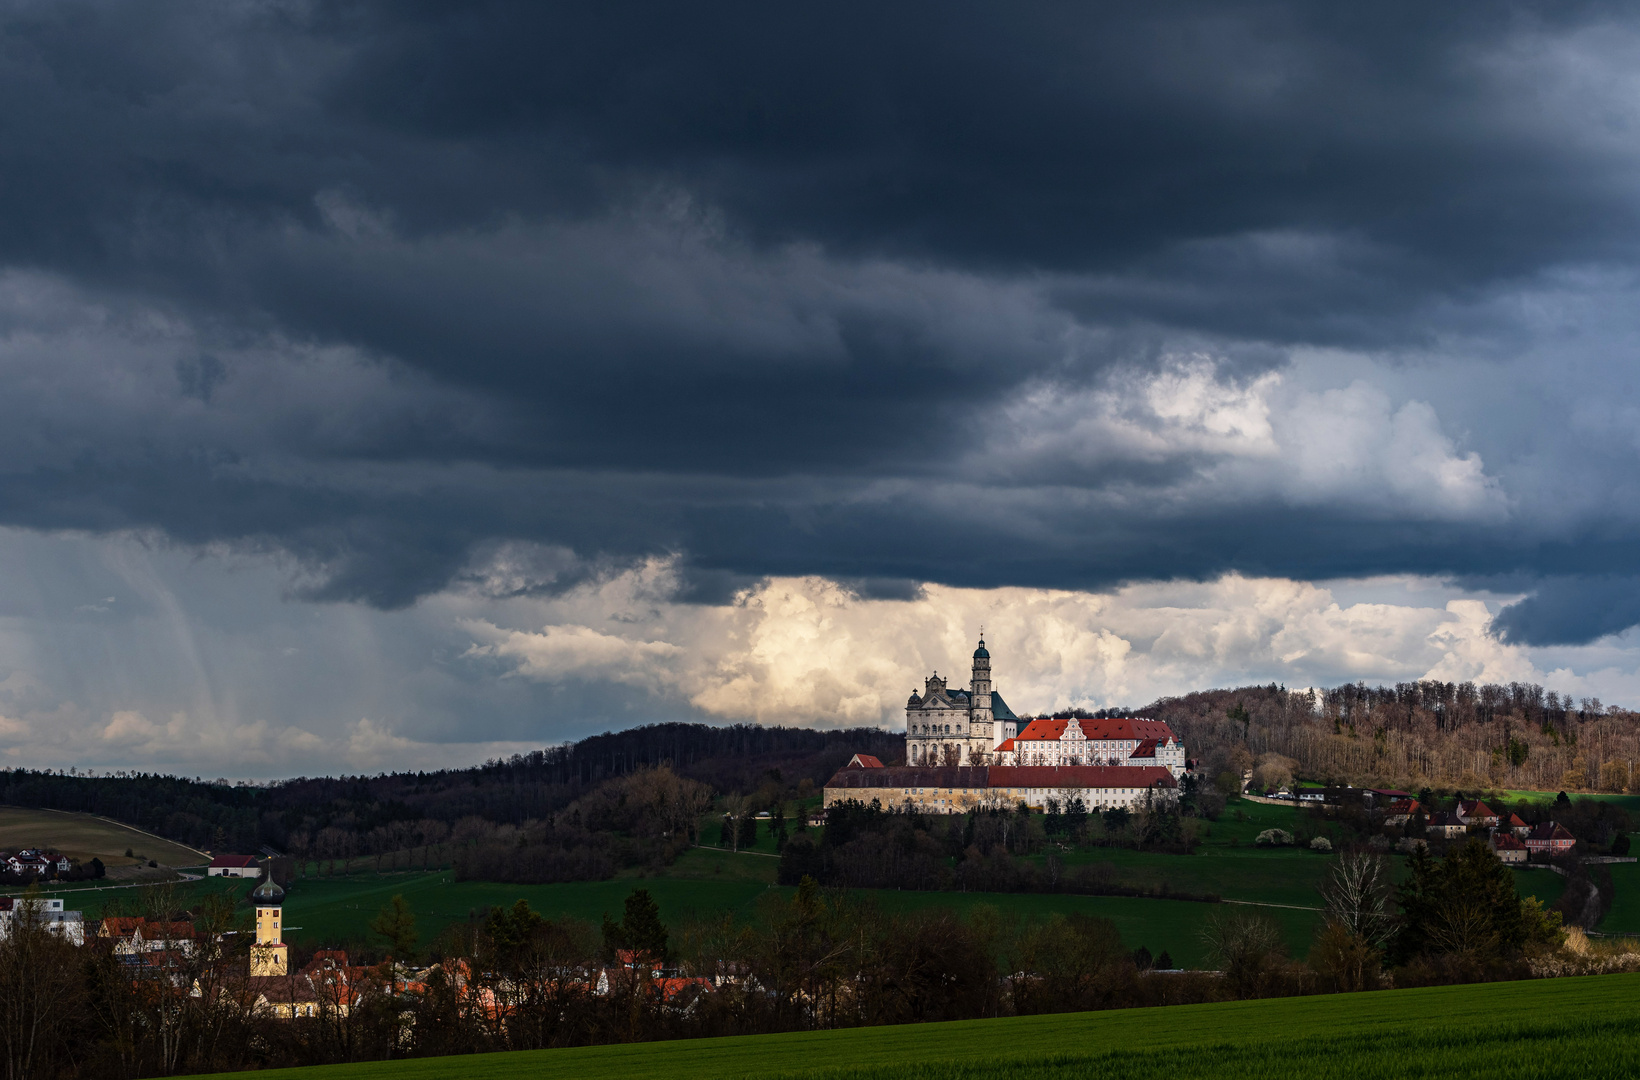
570	805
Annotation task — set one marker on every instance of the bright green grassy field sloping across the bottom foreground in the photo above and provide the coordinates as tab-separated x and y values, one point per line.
1551	1028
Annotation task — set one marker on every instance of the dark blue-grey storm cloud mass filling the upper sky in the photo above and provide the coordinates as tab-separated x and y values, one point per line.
763	286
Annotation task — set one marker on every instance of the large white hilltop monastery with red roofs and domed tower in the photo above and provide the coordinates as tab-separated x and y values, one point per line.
967	750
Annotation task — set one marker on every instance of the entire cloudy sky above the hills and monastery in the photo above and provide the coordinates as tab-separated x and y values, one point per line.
401	384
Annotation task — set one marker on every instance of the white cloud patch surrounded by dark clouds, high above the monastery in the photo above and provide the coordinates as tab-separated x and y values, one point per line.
1347	448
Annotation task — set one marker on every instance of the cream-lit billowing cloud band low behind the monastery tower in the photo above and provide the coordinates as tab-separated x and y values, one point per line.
811	651
